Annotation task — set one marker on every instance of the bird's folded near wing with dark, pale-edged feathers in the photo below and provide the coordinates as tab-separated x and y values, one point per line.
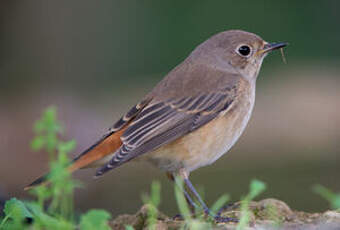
163	121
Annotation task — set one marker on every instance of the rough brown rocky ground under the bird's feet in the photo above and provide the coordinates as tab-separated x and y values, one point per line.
265	214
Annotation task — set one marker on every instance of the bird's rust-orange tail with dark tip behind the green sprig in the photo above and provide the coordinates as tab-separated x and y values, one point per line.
90	157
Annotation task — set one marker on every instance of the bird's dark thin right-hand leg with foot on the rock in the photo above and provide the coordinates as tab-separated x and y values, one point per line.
207	211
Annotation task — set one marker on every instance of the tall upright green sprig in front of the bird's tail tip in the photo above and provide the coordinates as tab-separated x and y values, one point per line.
48	129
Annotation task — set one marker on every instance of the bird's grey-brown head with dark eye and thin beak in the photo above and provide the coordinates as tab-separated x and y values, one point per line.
238	51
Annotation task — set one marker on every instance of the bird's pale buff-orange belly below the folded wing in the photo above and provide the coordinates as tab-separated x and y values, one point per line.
205	145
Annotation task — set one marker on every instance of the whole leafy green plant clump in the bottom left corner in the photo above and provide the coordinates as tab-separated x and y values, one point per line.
58	213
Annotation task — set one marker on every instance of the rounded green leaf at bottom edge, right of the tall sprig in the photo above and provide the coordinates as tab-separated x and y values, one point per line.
95	219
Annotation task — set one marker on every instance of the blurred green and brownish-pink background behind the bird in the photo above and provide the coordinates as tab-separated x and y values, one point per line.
95	59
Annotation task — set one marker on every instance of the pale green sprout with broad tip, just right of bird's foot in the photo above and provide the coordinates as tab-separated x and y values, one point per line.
256	188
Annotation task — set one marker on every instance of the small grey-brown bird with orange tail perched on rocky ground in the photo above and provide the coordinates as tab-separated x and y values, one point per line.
192	117
